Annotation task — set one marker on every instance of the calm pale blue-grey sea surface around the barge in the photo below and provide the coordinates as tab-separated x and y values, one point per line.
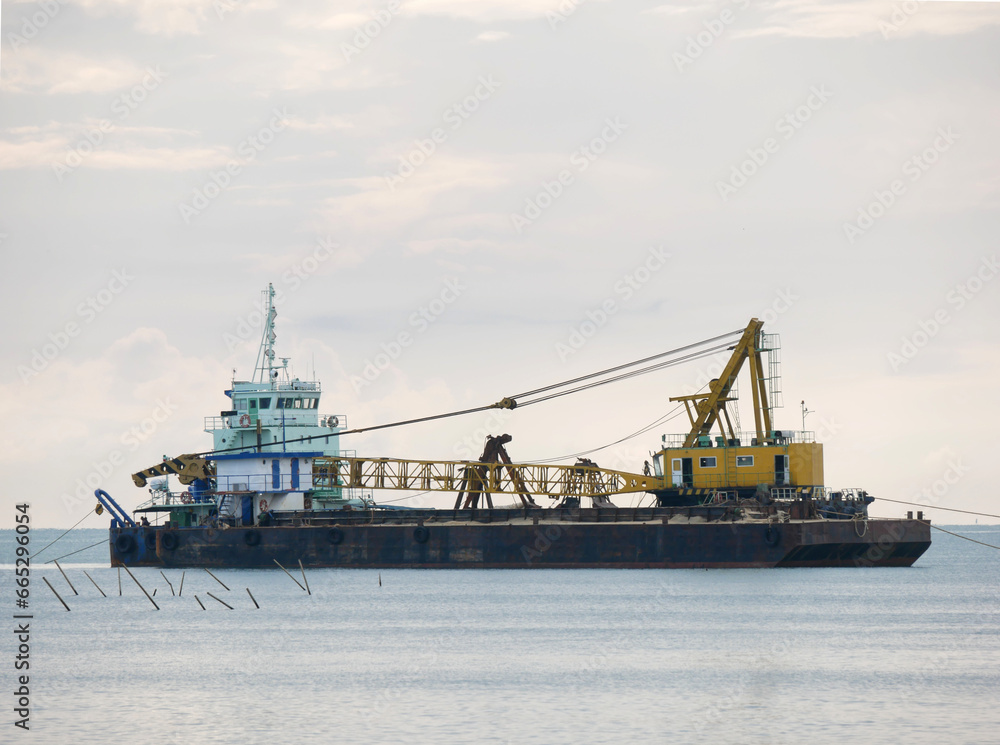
505	656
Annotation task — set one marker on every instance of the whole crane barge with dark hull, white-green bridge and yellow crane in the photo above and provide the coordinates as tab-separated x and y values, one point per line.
276	488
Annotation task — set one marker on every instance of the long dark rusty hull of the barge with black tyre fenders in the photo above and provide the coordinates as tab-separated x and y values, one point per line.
518	539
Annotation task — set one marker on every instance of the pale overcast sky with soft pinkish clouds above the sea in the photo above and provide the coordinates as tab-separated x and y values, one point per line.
522	191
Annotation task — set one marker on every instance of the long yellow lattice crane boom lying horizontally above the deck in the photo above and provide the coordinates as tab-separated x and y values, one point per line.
422	475
